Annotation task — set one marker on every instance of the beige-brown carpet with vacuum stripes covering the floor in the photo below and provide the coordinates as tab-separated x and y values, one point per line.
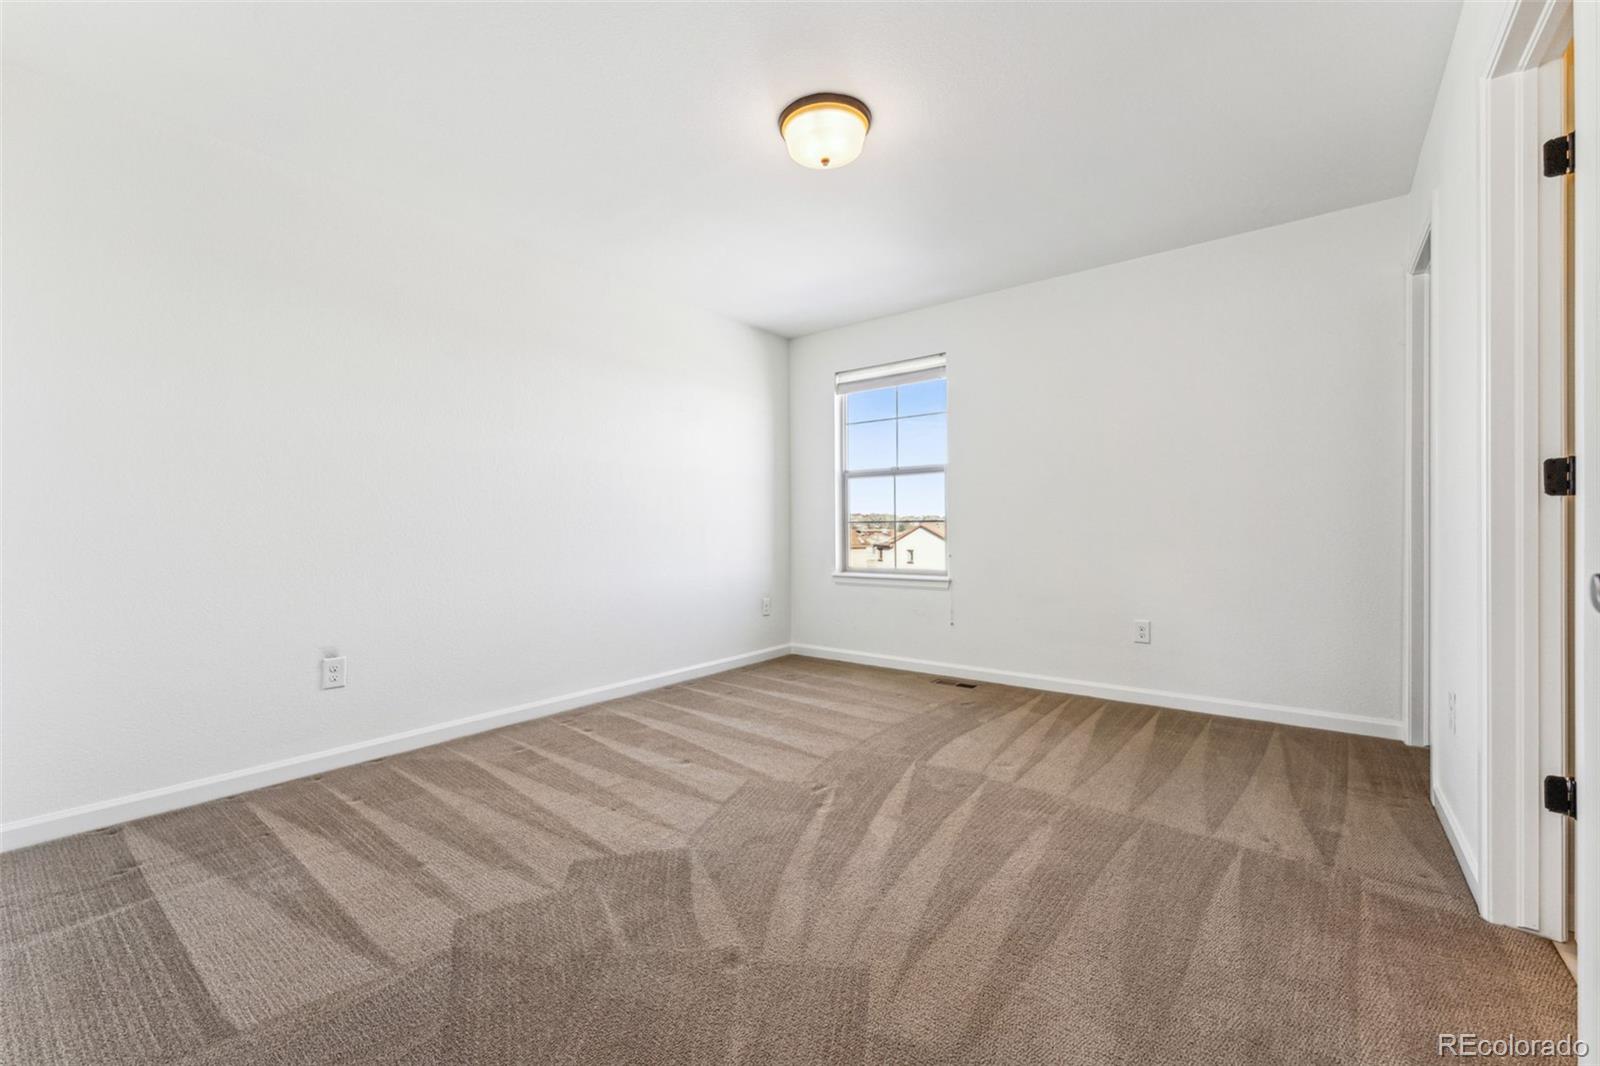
799	862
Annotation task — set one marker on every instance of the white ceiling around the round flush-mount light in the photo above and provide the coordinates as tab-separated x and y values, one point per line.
1010	143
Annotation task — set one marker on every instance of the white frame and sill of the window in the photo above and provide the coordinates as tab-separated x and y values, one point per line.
886	377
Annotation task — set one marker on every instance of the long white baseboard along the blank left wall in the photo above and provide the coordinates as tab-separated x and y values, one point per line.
63	824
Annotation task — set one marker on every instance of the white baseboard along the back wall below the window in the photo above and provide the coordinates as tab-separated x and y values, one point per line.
1390	729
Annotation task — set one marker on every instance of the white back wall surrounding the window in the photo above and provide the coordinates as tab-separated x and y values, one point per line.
1209	439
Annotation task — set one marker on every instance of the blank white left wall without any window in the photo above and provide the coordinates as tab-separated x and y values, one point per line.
249	420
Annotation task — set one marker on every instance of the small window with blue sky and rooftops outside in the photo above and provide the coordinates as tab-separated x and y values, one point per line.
892	468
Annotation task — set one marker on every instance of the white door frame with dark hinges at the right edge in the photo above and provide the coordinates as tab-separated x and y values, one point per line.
1522	254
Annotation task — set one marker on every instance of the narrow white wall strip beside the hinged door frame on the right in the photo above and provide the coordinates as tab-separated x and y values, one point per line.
1447	182
